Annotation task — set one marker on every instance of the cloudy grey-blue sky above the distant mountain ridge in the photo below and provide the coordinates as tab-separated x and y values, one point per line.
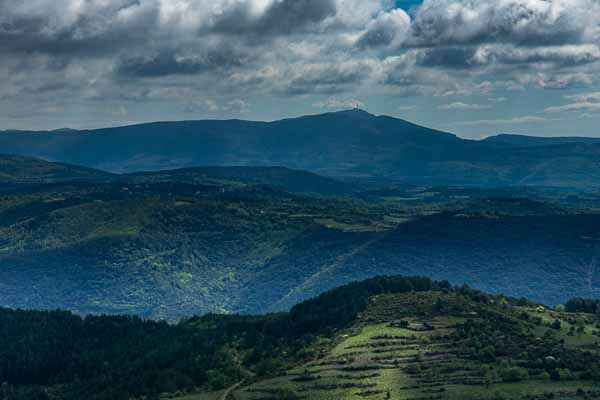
471	67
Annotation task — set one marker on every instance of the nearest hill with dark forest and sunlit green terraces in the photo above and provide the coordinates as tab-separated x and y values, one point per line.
385	338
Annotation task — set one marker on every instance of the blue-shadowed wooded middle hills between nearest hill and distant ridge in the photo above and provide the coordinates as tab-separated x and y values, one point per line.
171	244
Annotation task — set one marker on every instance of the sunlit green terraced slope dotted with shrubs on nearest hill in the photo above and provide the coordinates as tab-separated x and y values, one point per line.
419	346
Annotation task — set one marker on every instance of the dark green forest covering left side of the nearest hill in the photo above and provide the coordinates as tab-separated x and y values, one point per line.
102	357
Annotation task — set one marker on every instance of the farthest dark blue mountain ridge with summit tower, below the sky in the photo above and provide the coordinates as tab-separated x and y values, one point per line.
350	145
